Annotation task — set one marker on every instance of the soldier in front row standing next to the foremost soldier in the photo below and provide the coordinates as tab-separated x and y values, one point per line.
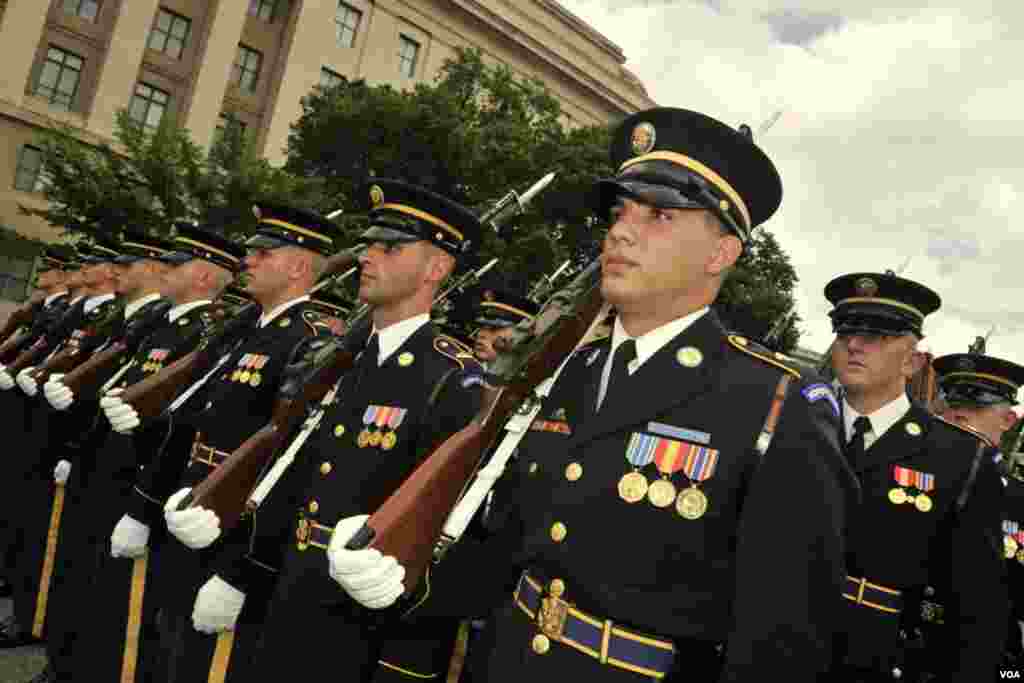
410	390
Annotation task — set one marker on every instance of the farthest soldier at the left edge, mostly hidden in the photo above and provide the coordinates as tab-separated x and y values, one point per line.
56	272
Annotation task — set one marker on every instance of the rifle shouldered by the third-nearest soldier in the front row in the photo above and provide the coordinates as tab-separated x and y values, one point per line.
152	396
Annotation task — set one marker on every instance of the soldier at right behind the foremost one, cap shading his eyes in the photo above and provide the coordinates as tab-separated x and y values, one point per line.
931	511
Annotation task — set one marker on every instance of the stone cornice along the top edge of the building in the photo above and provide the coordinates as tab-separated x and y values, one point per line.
511	32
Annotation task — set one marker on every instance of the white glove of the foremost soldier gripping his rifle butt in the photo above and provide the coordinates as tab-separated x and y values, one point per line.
370	578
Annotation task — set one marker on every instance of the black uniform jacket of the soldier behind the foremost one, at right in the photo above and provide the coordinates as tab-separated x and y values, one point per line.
952	550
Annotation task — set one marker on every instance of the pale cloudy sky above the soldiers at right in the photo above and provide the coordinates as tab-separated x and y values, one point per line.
902	137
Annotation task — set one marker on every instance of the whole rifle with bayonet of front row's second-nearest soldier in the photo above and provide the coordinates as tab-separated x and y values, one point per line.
227	490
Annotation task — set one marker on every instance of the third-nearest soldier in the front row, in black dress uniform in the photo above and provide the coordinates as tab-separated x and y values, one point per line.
286	255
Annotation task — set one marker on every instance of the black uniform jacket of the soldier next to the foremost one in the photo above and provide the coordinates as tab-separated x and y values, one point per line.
433	391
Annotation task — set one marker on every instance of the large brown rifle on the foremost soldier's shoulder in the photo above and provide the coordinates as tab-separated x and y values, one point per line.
409	523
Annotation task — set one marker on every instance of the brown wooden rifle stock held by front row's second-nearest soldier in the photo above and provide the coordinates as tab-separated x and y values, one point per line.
227	489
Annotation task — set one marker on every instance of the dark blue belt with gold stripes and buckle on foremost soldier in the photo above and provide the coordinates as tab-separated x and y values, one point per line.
613	646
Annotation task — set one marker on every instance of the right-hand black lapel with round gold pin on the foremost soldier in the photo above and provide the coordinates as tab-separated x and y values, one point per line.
661	383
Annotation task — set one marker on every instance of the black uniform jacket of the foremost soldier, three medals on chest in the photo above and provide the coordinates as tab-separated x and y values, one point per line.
756	577
